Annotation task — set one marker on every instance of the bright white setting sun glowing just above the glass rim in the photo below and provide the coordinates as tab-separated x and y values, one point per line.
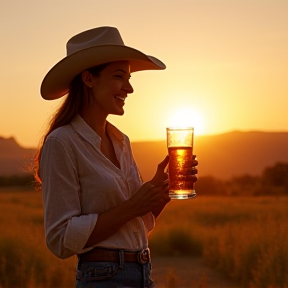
187	117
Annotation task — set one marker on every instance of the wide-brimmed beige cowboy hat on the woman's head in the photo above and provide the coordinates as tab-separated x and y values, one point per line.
91	48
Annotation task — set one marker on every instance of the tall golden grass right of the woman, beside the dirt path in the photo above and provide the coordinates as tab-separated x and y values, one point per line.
243	238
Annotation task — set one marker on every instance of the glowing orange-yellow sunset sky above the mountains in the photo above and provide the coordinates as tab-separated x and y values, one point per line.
227	62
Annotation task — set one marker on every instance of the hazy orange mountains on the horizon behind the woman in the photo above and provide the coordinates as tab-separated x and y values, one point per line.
222	156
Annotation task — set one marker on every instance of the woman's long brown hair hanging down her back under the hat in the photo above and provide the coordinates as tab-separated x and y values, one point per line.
78	96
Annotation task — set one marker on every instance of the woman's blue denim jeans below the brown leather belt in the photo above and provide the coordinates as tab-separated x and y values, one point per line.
113	275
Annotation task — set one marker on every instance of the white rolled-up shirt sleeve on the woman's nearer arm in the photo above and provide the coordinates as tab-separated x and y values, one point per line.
67	231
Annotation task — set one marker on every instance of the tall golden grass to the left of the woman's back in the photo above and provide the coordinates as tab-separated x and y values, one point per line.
24	259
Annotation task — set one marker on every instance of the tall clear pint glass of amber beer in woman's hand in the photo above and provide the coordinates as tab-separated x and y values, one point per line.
180	149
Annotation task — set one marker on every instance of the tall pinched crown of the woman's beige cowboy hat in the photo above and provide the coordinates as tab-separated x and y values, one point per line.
94	37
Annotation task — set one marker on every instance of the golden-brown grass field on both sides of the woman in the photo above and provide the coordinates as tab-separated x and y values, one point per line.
245	239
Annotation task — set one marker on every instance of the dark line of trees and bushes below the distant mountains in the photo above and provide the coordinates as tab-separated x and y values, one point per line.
272	181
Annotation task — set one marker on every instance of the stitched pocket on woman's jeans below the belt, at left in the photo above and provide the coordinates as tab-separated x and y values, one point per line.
96	271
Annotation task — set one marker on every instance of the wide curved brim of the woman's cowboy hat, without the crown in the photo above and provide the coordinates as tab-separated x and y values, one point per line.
57	81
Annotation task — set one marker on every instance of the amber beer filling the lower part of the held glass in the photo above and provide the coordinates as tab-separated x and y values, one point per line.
180	174
